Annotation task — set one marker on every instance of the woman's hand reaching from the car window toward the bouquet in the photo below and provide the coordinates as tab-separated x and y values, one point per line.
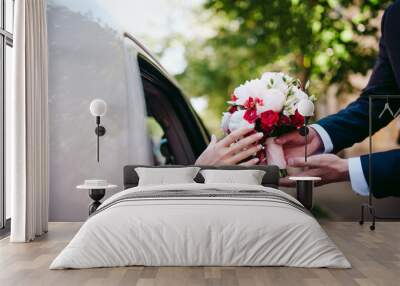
232	149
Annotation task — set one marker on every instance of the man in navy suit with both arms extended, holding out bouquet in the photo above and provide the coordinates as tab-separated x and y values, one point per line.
350	125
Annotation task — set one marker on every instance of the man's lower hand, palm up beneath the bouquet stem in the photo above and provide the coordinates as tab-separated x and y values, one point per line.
329	167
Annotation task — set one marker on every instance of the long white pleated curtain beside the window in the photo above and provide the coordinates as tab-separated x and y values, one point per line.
27	127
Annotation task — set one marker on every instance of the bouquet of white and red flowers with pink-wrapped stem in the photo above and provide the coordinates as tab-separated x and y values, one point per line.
272	104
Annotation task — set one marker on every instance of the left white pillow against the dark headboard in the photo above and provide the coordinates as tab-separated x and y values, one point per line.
164	176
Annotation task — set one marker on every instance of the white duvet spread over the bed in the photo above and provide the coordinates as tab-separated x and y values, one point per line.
188	231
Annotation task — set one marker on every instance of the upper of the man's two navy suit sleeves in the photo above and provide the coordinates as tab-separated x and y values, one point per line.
350	125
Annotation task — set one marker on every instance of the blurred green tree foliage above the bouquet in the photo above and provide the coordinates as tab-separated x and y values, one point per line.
324	41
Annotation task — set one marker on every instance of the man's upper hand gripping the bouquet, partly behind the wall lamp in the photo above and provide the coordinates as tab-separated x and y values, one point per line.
293	144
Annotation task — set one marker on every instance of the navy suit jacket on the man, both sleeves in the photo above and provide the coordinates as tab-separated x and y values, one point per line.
351	125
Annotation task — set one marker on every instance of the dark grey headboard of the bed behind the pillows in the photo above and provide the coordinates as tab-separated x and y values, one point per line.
270	179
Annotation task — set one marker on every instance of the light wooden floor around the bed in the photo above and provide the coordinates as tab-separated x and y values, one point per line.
375	257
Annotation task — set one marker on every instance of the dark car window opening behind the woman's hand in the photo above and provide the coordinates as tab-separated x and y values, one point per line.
176	133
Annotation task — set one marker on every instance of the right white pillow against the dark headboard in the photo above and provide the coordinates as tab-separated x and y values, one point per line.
248	177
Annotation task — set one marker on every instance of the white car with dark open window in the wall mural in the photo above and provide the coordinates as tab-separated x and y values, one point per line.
149	120
